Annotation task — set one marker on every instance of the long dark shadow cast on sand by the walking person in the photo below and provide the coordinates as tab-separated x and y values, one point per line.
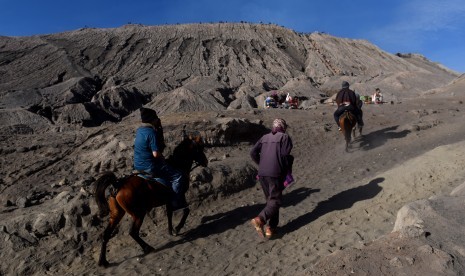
341	201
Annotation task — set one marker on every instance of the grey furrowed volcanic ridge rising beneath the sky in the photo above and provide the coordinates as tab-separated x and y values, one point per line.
90	76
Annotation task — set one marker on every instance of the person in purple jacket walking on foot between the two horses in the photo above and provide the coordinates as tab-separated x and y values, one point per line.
272	154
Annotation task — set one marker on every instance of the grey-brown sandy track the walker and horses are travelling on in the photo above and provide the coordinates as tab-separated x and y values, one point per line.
409	151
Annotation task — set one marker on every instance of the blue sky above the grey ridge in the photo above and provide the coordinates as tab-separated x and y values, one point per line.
433	28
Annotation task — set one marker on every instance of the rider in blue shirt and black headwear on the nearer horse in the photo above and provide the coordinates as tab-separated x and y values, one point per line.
149	159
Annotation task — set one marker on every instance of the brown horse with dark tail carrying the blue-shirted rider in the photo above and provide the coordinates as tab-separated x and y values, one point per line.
136	196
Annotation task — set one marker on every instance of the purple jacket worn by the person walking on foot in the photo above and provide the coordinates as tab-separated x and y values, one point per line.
270	153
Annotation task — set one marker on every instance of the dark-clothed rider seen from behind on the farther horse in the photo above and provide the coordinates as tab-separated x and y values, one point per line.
347	100
